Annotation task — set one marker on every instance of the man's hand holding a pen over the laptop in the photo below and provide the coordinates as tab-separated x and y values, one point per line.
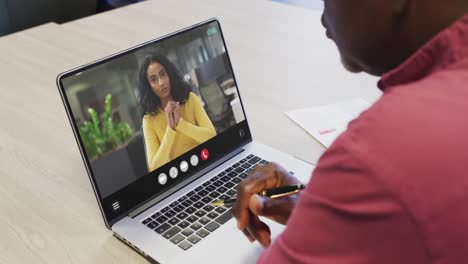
249	205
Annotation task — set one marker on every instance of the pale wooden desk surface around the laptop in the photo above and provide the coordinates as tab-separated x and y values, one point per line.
282	61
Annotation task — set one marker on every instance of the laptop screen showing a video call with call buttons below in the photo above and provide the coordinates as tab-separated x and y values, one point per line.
152	116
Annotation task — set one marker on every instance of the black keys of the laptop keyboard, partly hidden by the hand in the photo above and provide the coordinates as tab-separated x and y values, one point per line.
191	218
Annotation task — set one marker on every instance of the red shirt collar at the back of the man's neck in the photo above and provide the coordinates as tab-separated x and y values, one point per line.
447	48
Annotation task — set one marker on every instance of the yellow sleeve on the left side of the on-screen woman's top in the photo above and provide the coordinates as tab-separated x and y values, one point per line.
157	152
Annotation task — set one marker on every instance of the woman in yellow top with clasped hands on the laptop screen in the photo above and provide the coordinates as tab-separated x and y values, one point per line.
174	119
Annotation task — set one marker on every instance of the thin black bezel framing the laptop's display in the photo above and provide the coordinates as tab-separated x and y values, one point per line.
111	218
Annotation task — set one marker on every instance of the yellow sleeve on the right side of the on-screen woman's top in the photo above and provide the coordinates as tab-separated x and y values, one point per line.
203	129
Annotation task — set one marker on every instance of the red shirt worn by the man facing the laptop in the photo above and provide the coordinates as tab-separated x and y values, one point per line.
394	187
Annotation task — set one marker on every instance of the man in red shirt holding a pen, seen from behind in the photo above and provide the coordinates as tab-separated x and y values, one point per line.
393	188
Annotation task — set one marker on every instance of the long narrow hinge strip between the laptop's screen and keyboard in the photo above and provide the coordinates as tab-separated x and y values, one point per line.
138	210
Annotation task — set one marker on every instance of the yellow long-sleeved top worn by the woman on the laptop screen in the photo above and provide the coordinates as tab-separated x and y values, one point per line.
164	144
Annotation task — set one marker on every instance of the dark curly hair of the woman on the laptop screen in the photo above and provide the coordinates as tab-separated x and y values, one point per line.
149	101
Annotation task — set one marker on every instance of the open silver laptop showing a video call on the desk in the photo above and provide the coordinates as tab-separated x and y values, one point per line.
163	133
